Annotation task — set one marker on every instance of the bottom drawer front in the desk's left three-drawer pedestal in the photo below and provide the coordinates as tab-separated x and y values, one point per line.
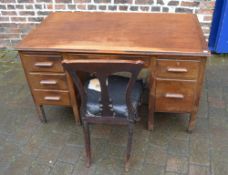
52	97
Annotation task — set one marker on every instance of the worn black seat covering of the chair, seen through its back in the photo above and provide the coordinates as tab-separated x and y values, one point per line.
117	87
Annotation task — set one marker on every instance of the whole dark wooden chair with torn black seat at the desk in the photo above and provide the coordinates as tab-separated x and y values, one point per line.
101	107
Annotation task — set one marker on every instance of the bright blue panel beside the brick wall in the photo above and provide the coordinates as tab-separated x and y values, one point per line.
218	40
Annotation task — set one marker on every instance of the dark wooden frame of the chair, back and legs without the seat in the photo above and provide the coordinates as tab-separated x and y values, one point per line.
102	69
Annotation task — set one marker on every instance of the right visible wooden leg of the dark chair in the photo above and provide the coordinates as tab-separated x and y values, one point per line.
129	145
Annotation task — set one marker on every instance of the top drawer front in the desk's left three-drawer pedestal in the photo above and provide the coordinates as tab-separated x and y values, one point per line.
42	63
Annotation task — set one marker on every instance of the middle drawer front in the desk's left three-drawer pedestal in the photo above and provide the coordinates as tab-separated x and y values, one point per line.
48	81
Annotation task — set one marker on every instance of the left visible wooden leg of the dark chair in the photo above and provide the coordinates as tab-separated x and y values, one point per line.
87	143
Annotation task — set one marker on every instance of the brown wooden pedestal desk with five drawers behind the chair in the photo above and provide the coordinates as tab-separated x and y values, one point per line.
172	46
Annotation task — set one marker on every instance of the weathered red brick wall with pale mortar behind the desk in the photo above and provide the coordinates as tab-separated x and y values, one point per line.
18	17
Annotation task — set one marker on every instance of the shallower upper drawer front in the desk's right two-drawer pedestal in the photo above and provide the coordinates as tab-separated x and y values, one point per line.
177	69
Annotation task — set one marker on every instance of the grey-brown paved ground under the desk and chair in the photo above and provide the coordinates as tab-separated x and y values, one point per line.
30	147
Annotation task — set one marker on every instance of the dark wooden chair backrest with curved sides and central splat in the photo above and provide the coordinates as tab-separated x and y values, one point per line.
102	69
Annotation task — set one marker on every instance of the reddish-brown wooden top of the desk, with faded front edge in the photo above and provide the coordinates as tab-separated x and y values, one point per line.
122	33
